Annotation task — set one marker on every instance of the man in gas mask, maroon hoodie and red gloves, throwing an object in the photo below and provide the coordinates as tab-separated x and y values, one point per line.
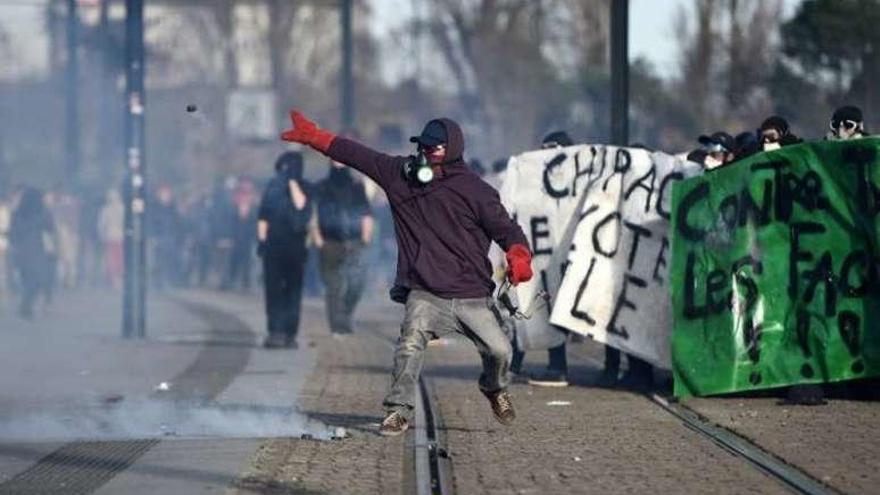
445	218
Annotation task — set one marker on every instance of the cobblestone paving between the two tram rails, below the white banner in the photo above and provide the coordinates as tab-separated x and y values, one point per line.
575	440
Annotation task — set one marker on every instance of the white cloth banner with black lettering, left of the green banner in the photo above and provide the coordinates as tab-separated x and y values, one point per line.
597	221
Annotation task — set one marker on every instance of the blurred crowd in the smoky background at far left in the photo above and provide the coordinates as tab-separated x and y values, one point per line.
61	239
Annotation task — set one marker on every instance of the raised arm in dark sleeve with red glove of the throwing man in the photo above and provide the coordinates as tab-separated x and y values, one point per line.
378	166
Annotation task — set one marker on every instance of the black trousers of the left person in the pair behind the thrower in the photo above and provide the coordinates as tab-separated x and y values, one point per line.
282	279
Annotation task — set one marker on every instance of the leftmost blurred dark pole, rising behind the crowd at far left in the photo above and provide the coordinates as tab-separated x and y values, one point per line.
71	97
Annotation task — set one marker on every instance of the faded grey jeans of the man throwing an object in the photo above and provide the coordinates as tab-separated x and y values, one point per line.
429	316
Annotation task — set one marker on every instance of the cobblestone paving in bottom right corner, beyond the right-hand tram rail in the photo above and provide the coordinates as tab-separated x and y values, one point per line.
837	443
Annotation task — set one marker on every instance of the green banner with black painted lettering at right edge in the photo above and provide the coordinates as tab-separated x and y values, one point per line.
774	270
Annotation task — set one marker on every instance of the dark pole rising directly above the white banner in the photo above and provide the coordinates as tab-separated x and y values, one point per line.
620	72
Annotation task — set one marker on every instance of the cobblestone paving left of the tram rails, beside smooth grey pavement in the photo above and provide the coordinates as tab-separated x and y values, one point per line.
344	390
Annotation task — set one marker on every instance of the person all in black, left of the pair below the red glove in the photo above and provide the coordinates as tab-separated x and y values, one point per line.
282	227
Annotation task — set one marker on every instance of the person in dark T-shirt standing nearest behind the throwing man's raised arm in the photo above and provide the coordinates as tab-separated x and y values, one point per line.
343	229
